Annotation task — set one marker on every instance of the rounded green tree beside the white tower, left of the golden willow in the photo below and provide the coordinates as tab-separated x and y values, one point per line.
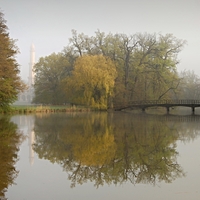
50	71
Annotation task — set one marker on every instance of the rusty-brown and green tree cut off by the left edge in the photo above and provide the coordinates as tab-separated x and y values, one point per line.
10	82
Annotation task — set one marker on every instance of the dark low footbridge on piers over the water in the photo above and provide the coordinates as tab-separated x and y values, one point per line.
143	104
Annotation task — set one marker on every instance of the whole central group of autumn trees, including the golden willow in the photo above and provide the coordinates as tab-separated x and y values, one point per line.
107	69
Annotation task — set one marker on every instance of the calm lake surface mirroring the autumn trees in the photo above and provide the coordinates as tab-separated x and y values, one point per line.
99	156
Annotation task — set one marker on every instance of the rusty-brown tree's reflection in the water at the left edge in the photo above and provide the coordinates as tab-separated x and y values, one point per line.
9	147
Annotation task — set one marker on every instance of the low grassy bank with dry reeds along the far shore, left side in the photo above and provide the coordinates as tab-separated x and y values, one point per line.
23	109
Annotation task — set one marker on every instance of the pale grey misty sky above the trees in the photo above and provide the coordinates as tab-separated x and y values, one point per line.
48	24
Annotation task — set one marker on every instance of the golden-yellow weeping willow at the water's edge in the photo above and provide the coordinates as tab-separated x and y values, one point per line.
92	81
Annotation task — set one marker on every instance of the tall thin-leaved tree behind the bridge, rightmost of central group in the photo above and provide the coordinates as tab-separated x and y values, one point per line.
155	67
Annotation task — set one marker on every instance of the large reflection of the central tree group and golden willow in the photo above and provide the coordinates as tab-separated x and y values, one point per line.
110	148
